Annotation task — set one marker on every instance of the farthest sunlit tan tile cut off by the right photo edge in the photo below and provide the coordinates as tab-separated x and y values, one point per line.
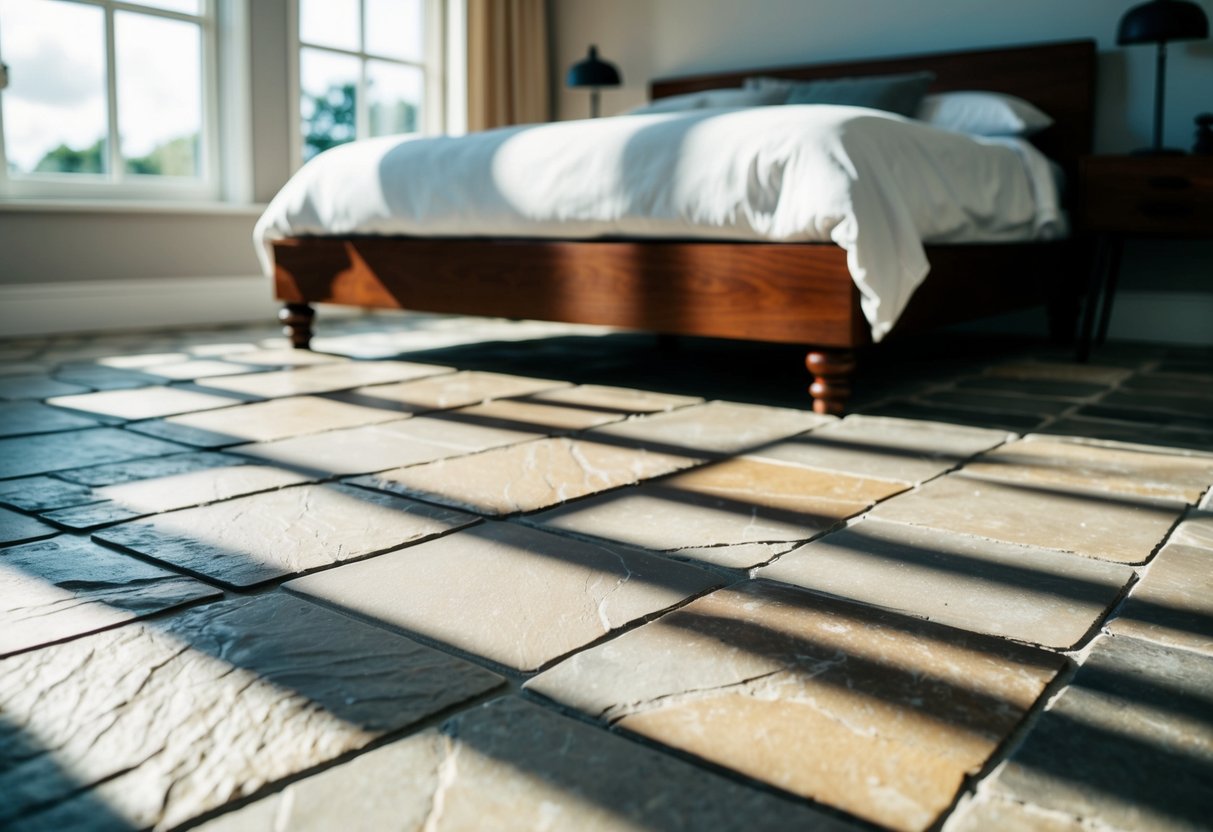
1055	464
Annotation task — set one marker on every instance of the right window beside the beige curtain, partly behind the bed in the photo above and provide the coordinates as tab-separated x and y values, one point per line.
368	69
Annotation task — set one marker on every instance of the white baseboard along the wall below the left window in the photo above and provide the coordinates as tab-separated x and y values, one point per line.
56	309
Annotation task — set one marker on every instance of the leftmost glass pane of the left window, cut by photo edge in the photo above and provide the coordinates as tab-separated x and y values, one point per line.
55	106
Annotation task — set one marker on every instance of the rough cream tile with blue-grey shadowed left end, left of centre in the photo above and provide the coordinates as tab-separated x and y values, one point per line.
250	540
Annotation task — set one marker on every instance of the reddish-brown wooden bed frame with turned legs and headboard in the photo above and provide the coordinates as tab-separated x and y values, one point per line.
765	292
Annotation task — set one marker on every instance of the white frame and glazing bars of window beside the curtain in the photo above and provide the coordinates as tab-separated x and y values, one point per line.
445	25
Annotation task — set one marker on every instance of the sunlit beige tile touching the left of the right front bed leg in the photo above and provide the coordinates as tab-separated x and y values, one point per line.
713	429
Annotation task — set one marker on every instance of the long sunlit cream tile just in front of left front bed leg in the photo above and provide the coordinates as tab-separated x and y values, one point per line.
322	379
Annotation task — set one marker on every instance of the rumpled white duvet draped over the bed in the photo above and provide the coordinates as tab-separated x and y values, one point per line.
875	184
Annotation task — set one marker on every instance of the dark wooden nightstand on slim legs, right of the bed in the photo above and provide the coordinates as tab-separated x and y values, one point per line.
1136	197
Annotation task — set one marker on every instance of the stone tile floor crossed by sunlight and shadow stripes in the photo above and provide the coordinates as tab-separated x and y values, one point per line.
452	574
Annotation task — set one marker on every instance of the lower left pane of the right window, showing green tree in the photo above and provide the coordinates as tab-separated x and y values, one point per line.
328	106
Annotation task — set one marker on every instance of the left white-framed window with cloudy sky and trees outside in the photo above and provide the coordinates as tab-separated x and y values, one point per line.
111	99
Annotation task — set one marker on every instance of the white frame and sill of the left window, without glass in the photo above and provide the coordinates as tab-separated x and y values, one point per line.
226	136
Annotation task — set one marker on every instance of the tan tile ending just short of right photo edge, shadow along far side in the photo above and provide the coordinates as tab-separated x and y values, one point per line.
1109	527
